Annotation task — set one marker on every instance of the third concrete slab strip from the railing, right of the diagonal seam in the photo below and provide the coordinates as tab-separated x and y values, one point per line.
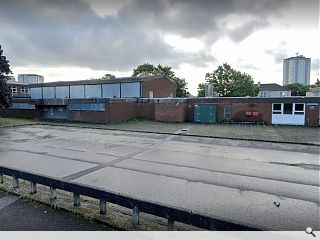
244	167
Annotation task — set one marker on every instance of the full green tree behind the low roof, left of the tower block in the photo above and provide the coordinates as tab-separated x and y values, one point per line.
229	82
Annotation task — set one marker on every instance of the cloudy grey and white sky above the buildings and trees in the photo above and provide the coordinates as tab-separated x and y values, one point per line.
80	39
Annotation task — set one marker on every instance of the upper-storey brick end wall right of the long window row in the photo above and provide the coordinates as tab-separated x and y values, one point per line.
161	88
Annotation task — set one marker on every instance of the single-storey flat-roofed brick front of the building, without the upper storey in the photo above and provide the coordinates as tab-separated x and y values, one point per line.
282	110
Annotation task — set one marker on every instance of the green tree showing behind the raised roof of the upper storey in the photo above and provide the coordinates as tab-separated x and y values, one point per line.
148	69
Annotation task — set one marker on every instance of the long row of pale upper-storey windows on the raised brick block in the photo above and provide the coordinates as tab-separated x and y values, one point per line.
117	90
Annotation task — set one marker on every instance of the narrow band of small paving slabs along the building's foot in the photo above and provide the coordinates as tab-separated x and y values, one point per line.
271	133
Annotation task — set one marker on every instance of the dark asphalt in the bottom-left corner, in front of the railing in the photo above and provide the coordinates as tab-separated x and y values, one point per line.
20	215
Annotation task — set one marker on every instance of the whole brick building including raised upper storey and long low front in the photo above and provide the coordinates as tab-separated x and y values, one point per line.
119	99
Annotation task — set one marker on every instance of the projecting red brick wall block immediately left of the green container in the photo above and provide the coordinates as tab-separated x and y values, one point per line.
170	112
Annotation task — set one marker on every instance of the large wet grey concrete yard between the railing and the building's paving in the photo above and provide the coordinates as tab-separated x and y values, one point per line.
271	186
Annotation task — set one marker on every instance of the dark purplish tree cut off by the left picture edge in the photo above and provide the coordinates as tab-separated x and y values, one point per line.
5	94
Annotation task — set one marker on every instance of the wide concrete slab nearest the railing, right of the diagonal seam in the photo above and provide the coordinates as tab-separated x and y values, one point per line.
247	207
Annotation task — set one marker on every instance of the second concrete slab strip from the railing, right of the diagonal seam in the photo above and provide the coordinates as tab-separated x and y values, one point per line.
244	183
